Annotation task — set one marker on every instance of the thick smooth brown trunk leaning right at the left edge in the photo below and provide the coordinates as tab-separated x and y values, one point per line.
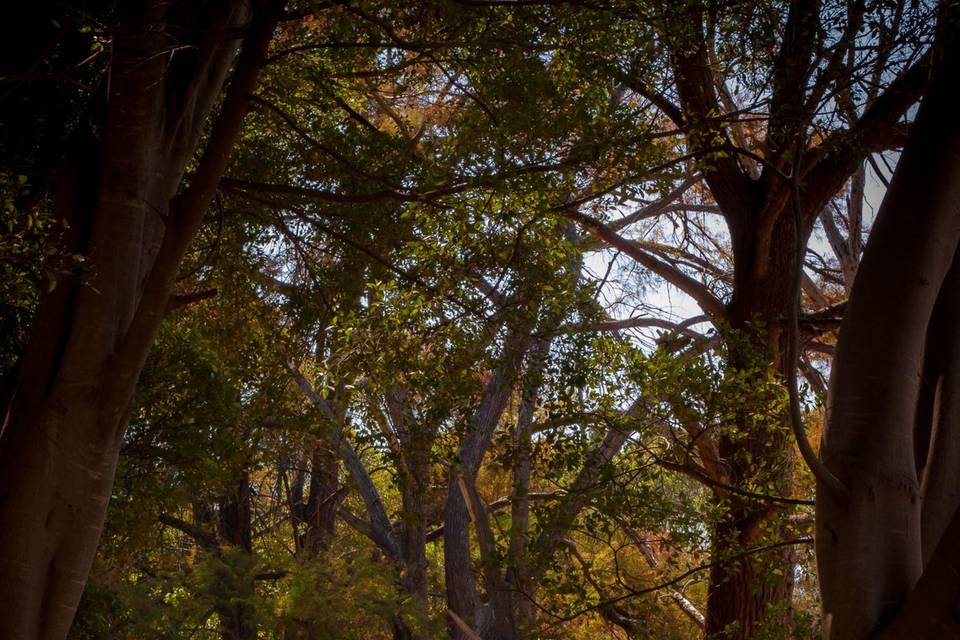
63	427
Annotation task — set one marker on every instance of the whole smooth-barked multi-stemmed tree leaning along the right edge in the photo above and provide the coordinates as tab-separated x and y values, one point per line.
887	541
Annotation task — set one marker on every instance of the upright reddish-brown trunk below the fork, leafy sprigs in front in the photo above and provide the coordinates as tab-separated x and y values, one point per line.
751	592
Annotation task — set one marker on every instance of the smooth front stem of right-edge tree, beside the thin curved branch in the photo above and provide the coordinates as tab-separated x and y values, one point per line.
870	548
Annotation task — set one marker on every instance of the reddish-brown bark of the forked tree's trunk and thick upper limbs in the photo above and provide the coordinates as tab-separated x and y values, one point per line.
769	216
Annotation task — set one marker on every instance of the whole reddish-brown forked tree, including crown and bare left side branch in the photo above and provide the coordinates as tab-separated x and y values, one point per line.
770	183
